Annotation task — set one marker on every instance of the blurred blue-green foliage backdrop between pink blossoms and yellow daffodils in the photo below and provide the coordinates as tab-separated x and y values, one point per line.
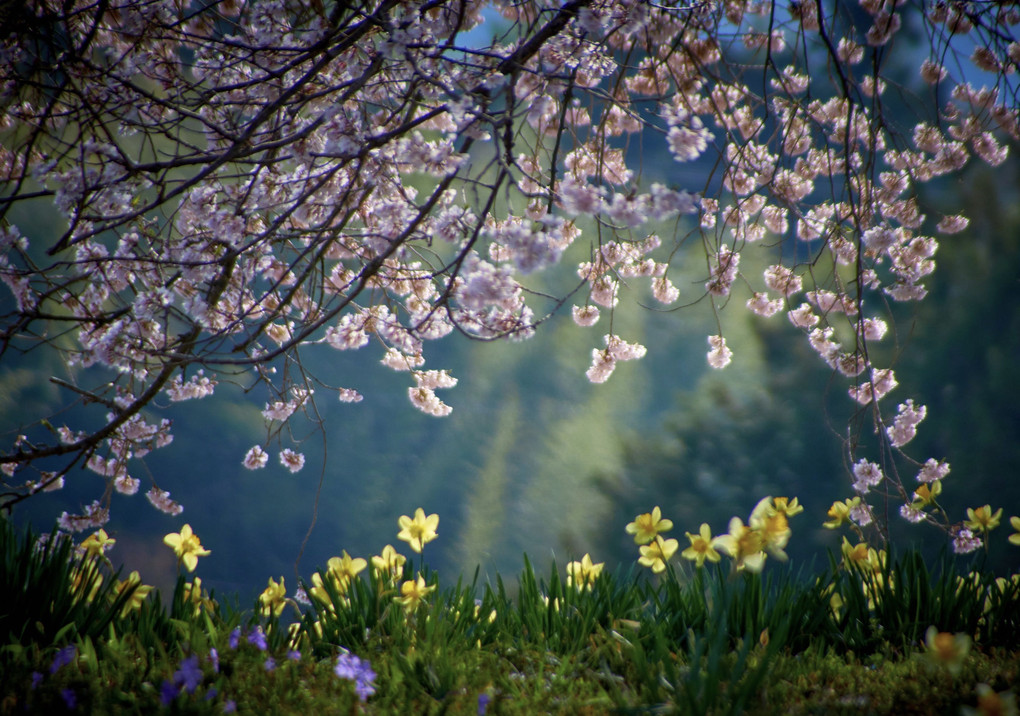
536	459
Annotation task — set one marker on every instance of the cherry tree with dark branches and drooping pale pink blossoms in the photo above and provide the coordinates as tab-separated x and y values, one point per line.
240	180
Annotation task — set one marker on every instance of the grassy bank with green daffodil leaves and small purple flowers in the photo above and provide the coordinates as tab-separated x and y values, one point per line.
900	637
